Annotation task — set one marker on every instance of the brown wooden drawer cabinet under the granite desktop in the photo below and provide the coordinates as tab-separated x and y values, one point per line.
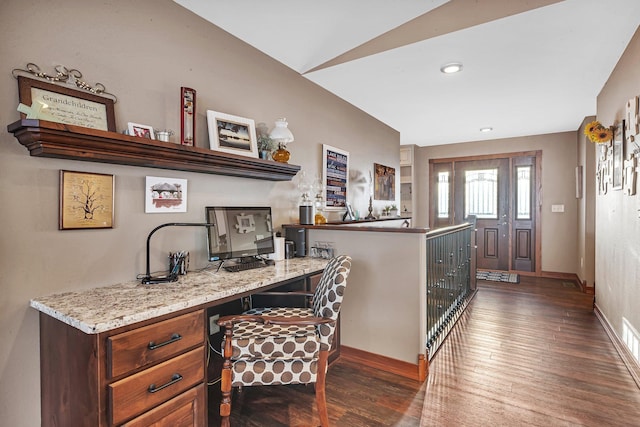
153	374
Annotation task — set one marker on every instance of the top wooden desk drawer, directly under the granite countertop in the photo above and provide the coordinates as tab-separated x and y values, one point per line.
143	346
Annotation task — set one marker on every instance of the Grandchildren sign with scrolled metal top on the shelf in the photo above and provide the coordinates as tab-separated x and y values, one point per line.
64	98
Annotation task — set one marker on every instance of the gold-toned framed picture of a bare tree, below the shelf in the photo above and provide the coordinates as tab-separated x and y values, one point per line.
86	200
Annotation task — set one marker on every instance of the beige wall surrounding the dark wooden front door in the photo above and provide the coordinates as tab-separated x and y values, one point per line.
559	157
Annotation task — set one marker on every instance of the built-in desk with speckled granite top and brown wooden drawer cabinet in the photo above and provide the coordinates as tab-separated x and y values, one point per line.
135	355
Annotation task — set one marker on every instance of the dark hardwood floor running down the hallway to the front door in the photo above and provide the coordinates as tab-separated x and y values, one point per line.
528	354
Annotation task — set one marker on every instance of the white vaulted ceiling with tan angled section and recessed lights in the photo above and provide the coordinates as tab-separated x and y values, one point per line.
530	66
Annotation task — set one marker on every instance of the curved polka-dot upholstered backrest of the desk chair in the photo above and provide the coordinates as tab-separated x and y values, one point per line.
327	298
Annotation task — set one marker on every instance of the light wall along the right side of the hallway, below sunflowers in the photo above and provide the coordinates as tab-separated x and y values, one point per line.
617	216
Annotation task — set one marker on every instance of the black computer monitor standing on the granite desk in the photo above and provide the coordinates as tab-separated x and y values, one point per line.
239	232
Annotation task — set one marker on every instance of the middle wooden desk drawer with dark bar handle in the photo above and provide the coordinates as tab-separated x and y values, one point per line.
140	392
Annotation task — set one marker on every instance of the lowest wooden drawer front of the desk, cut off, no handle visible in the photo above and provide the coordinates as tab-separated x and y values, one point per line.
184	410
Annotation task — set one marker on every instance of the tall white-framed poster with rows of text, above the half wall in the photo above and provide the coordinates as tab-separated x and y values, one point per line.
335	177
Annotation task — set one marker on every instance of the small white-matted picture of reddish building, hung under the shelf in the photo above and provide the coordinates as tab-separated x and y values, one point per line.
165	195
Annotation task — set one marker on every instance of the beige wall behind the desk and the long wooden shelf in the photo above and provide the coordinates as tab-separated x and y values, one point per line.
143	51
